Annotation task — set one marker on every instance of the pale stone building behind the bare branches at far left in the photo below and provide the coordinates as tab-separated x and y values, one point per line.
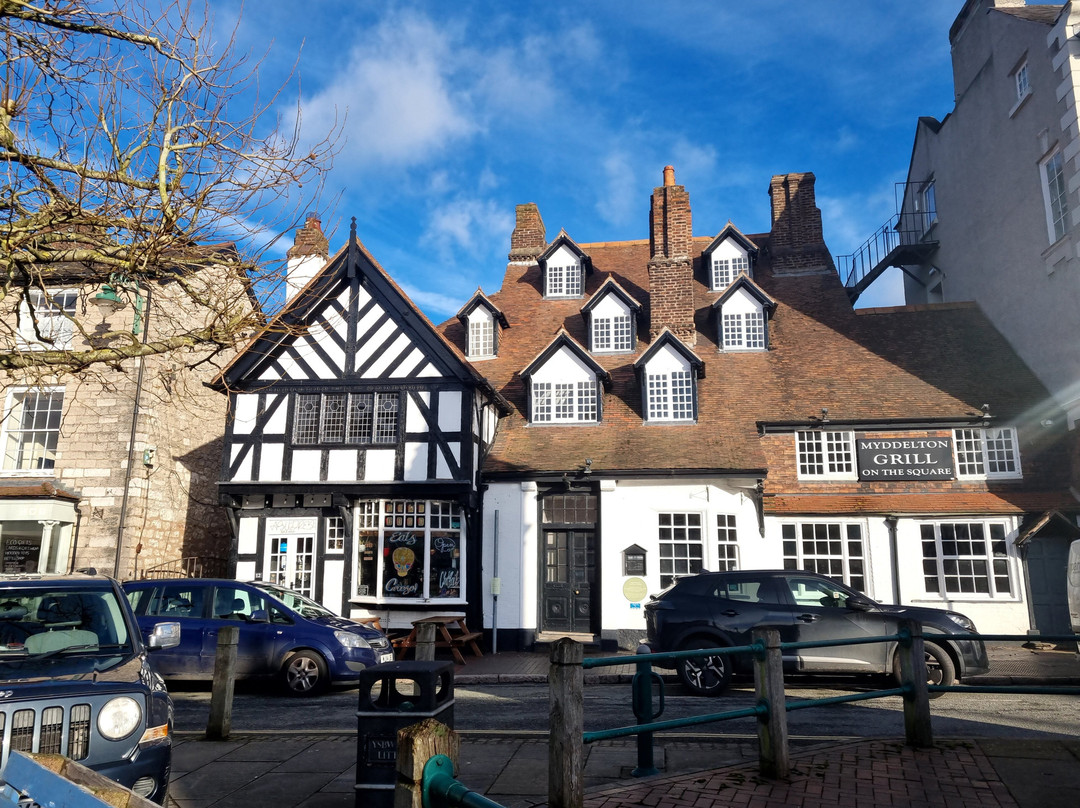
115	468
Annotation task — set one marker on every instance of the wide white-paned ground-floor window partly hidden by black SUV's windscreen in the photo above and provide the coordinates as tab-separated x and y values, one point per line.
833	549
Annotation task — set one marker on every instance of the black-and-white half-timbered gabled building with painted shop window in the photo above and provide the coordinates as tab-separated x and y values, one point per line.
354	445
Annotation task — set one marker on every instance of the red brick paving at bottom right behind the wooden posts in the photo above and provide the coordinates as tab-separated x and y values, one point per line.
882	774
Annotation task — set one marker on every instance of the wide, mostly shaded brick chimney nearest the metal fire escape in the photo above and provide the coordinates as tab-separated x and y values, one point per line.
798	245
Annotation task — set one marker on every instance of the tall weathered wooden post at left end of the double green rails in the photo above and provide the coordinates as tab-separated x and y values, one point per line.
566	753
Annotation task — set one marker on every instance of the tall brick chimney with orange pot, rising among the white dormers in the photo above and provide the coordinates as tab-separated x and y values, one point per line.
671	267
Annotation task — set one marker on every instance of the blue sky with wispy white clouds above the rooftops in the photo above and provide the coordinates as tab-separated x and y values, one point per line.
454	113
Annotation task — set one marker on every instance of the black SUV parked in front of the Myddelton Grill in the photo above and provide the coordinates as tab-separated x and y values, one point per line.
718	610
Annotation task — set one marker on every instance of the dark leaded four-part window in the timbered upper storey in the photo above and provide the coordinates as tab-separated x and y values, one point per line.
353	419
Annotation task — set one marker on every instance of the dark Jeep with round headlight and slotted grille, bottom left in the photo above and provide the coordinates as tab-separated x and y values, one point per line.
75	680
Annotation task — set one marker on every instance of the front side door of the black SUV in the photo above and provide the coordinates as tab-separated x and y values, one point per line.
820	612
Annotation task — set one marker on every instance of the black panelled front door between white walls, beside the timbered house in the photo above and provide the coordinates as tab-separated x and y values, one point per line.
570	574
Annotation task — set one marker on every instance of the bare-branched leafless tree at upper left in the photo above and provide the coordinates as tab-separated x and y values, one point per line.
139	158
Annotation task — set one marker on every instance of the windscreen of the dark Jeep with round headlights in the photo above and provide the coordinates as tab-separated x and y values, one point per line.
38	622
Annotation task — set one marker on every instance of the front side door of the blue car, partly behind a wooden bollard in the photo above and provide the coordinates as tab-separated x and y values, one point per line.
237	605
